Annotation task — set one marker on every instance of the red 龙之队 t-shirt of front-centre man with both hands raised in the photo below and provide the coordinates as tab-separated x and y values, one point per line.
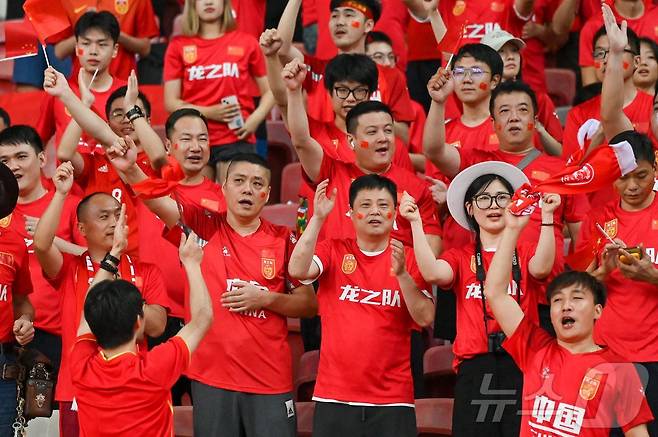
366	326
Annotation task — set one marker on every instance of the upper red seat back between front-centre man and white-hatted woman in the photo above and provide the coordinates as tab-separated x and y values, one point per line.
438	372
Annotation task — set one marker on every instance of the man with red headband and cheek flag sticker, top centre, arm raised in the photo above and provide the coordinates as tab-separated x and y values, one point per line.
349	24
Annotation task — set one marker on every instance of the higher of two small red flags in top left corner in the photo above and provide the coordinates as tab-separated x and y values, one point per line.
49	19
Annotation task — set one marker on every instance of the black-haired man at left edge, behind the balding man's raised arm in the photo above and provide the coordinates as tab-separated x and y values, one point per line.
21	150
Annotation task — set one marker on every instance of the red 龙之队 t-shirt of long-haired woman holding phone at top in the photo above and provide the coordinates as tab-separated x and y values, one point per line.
211	69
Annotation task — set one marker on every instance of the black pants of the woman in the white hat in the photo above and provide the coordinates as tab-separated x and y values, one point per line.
488	397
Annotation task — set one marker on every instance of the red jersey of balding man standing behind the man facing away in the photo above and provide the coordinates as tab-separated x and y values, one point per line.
72	282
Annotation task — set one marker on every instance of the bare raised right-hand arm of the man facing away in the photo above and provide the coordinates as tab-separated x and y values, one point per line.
200	304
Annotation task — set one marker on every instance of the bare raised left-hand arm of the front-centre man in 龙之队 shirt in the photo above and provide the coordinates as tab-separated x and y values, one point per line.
301	265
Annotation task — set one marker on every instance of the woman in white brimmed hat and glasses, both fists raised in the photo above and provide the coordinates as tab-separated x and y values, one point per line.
487	378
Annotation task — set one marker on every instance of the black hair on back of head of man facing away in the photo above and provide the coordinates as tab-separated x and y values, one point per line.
111	310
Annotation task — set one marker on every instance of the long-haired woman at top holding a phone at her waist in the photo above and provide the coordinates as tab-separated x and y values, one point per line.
217	69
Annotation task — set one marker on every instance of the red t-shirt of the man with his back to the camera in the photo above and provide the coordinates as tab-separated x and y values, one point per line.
133	386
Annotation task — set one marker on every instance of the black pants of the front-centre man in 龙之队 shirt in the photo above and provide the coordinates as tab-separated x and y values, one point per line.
333	419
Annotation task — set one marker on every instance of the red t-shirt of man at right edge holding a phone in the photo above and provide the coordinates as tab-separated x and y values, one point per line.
628	324
